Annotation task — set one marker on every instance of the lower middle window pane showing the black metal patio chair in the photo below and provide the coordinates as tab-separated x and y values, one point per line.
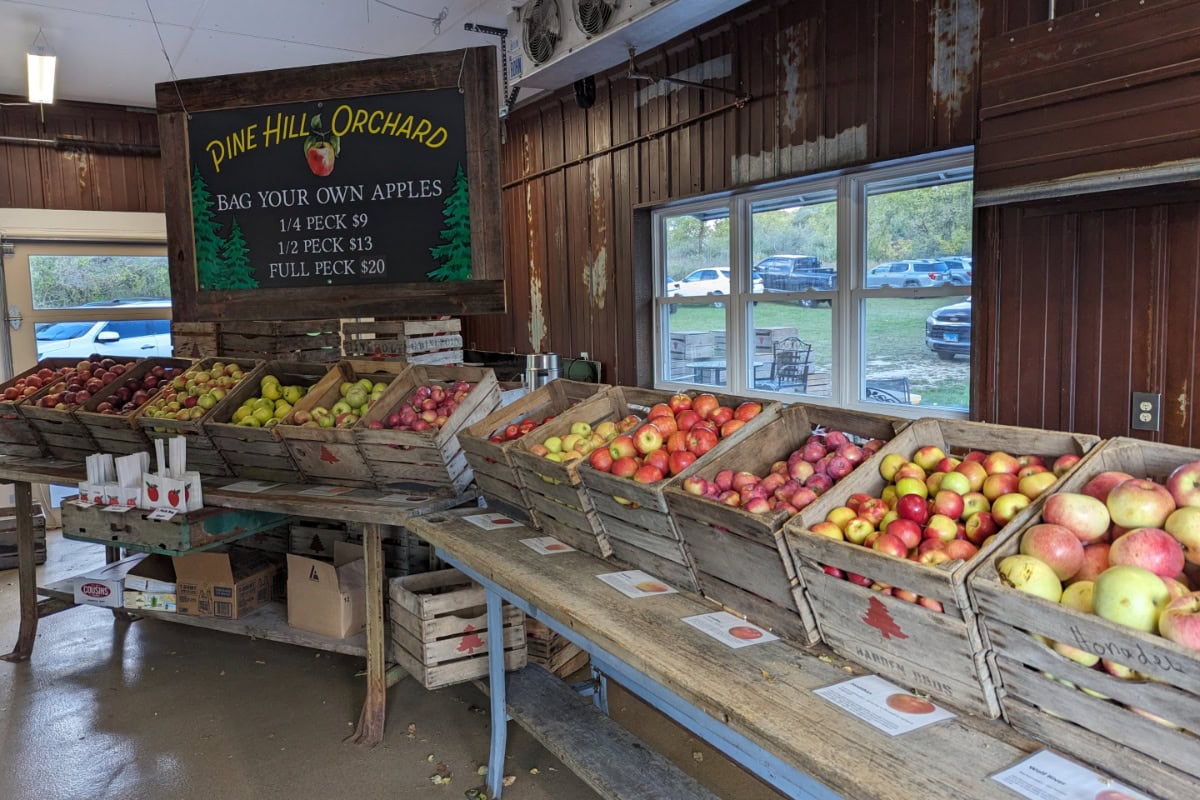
793	348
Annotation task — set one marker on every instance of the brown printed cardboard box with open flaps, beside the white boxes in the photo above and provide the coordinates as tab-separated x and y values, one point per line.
229	586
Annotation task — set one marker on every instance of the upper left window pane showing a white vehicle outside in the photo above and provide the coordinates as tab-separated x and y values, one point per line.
698	245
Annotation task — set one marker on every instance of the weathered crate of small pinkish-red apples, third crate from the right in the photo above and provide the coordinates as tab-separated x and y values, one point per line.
741	558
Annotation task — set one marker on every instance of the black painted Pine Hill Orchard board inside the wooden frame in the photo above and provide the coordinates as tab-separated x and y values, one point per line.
337	193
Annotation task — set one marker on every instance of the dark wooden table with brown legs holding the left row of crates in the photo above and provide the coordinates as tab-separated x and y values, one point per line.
361	506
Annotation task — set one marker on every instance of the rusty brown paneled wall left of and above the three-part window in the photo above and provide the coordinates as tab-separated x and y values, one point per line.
832	85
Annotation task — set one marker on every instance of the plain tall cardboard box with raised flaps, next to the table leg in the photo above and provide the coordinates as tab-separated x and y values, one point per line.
328	599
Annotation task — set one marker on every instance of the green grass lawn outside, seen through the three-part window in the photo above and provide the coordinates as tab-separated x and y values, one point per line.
895	347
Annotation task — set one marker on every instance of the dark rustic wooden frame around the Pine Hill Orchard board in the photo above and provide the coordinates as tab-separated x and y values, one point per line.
472	71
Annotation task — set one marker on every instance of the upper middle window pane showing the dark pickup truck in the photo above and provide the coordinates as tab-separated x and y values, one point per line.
796	243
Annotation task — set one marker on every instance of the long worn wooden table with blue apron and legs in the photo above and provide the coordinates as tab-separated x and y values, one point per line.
757	705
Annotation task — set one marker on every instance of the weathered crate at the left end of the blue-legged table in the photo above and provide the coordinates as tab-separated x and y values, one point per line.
491	461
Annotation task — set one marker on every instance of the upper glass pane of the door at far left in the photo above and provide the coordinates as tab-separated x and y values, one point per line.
107	281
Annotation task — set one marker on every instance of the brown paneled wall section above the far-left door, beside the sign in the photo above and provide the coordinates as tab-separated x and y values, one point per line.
106	159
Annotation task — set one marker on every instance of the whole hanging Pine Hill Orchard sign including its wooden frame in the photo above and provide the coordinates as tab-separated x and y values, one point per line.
361	185
